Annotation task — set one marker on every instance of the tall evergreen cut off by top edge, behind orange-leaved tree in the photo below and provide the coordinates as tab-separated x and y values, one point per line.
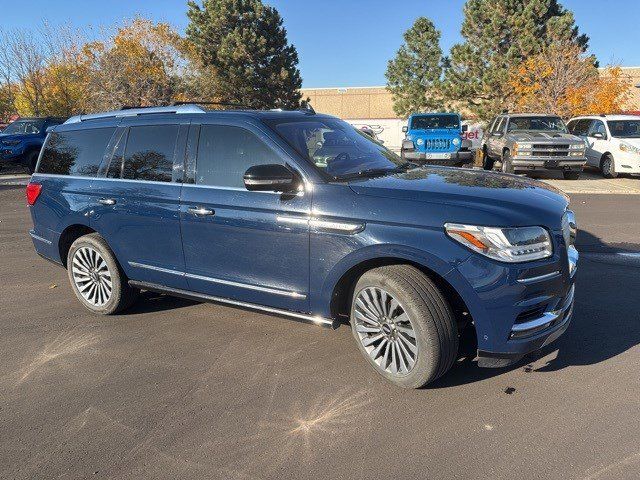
498	36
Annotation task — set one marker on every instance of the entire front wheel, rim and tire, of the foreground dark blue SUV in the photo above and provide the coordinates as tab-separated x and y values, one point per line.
403	325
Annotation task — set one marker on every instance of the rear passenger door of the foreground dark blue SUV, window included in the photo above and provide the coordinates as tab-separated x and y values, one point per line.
137	197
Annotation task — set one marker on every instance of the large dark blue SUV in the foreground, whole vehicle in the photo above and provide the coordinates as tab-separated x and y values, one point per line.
300	215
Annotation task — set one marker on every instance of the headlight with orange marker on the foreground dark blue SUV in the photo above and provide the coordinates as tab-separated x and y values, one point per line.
521	244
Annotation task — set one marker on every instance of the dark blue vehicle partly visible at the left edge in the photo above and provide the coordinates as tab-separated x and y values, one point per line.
21	141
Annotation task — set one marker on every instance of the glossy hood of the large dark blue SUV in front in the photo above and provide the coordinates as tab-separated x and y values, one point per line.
470	196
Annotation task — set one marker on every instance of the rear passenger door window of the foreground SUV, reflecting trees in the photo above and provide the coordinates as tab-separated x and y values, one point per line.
149	153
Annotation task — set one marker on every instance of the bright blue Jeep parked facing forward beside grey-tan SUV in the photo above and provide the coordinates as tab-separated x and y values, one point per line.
436	139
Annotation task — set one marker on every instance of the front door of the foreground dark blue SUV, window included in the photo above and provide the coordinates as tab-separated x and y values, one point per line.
248	246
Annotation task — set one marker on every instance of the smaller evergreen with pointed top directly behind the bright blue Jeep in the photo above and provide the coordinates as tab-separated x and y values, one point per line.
414	75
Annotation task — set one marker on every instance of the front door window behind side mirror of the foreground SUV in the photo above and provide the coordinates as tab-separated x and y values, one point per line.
225	153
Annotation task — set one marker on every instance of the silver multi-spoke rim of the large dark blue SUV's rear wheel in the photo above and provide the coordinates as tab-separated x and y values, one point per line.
91	276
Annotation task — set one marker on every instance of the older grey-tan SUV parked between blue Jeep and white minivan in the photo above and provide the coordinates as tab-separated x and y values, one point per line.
532	142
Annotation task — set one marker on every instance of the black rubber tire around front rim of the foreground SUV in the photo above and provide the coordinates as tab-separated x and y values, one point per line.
431	318
